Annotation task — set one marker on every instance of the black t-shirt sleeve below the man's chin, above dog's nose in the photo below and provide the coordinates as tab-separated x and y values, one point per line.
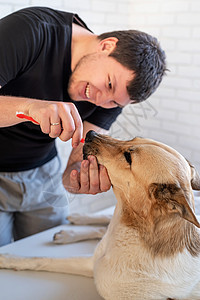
103	117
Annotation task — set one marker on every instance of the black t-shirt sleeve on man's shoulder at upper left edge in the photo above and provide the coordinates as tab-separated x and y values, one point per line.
19	45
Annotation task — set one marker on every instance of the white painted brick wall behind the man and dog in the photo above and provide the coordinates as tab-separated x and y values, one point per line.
171	115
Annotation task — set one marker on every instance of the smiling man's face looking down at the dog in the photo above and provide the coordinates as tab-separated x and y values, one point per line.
101	80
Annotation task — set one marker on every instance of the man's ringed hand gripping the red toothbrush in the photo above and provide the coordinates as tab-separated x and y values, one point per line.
58	119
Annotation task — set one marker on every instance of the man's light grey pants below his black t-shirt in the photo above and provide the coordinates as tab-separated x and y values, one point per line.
31	201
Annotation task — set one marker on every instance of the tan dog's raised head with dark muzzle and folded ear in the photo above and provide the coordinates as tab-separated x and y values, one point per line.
151	179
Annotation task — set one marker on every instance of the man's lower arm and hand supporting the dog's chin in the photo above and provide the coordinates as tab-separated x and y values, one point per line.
85	176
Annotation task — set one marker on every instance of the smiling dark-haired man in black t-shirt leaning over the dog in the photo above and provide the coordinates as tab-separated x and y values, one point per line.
69	80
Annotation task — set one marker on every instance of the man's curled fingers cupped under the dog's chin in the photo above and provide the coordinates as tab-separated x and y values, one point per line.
91	179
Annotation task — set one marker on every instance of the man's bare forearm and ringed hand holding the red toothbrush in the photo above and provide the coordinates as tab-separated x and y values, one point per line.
45	113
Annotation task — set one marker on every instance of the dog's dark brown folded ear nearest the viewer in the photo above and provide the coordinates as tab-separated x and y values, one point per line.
174	200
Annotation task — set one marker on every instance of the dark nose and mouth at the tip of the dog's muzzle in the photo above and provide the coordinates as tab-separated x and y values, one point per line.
89	147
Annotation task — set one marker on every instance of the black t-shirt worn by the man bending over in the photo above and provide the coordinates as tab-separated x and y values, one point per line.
35	62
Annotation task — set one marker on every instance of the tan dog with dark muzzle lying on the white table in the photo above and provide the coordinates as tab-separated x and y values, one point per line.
151	249
